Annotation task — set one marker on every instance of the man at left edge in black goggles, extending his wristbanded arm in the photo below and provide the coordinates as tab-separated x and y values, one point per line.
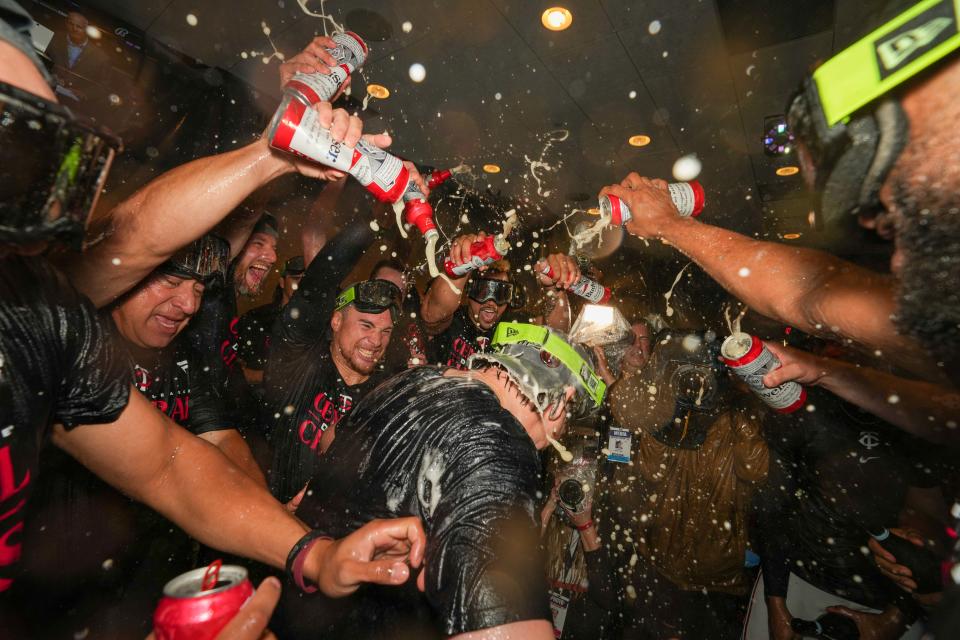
62	380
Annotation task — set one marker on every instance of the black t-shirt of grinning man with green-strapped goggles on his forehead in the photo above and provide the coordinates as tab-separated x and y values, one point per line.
304	394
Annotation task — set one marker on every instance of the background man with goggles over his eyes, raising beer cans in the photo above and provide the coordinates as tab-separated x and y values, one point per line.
458	330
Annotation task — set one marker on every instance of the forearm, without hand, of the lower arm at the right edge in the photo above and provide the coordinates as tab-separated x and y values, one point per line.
921	408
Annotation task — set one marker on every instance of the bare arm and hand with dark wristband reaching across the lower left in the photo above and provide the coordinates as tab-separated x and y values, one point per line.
146	455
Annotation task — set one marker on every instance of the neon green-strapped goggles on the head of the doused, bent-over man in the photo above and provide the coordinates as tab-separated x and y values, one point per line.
554	351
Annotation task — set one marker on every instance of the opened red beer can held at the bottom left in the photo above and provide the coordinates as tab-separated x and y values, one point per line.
187	611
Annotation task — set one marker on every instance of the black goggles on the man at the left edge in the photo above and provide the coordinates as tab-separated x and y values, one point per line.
53	164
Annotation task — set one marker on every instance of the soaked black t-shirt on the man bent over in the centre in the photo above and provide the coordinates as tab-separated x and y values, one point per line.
444	450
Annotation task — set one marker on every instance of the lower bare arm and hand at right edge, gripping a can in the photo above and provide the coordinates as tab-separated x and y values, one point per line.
923	409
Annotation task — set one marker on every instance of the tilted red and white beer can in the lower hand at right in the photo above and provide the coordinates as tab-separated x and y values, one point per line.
750	360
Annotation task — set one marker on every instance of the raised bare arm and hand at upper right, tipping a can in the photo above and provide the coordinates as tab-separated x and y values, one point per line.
811	290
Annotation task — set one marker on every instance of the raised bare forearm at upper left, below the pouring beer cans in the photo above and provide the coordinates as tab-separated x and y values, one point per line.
168	213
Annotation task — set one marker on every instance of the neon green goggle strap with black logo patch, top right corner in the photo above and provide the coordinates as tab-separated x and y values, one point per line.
888	56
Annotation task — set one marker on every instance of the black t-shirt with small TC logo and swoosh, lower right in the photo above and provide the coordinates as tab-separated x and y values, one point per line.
834	473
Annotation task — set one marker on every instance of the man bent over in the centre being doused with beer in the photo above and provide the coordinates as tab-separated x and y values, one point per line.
459	449
